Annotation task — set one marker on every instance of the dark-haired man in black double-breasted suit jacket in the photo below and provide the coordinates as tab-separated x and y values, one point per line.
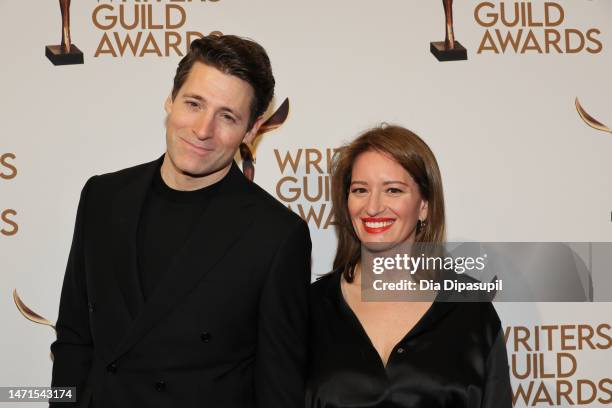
186	283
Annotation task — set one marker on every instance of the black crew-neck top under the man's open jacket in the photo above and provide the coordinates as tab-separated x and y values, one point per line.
167	218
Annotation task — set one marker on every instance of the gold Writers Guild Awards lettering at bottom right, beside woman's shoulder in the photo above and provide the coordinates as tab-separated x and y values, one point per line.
547	364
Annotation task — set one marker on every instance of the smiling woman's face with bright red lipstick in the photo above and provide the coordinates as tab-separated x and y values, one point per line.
384	201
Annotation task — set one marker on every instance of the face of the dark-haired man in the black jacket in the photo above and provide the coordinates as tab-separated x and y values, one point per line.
207	121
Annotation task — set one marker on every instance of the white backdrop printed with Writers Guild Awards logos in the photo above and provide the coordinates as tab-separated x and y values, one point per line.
518	161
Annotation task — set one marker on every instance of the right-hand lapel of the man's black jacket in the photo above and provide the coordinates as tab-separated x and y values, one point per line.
229	213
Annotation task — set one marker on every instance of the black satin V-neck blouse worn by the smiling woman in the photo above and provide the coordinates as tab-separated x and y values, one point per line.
455	356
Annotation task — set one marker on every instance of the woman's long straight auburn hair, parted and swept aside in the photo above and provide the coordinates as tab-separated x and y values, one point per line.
413	154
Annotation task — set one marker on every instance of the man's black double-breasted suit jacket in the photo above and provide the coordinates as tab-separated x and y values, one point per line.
226	325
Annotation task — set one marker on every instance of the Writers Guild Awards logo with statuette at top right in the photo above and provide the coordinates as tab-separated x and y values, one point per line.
525	27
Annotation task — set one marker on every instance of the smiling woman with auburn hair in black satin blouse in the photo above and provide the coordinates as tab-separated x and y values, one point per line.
386	187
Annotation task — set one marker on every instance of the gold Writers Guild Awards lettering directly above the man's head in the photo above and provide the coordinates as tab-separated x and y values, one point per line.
144	29
